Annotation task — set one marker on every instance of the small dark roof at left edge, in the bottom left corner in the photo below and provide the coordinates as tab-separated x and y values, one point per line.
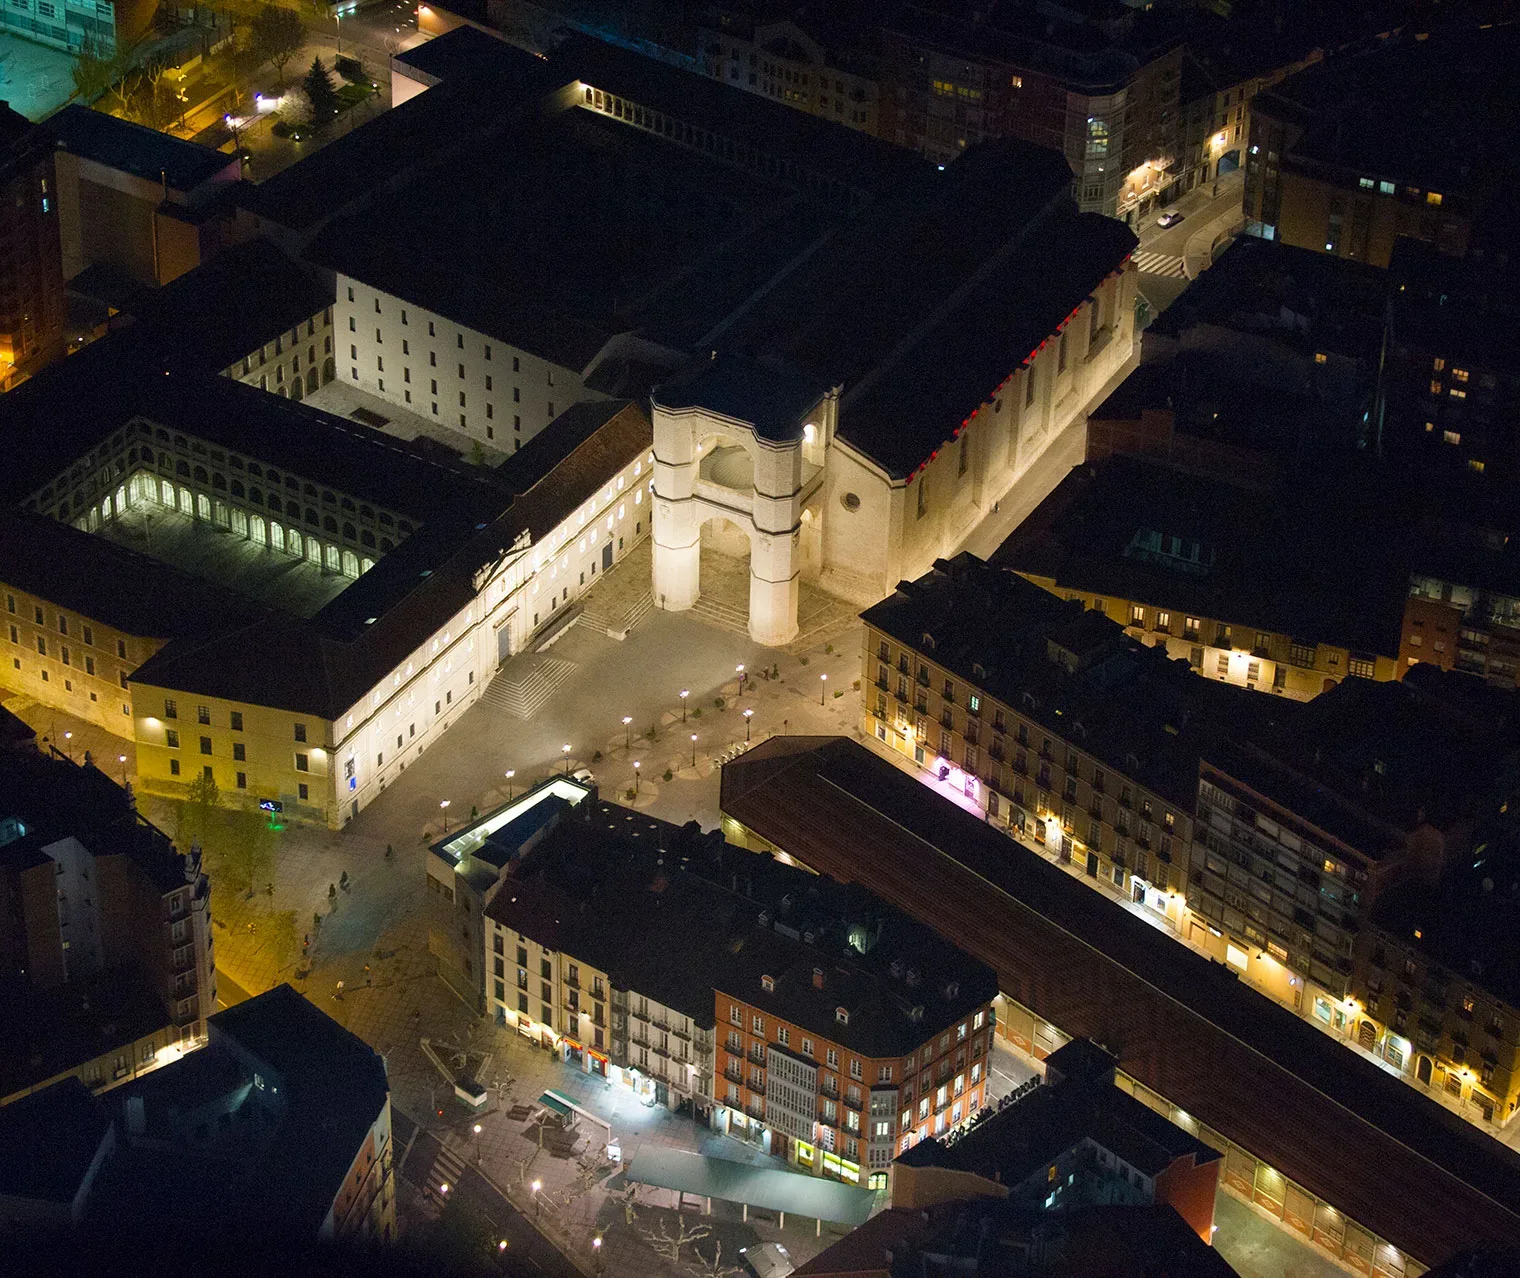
48	1142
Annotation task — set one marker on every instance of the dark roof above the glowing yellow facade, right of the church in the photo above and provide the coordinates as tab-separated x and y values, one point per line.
1323	558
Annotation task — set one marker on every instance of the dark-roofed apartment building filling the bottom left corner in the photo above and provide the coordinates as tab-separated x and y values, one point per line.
282	1122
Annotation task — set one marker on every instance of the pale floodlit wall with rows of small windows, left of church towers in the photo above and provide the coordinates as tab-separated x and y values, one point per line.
483	388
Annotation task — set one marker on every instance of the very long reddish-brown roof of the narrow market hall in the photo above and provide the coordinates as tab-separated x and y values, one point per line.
1399	1163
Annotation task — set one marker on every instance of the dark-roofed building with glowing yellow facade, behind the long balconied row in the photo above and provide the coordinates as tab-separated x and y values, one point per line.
1265	590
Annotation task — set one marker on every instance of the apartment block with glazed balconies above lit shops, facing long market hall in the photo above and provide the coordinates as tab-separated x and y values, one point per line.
1302	830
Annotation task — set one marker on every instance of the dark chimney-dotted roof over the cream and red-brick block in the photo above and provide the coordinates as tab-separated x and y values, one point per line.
703	897
